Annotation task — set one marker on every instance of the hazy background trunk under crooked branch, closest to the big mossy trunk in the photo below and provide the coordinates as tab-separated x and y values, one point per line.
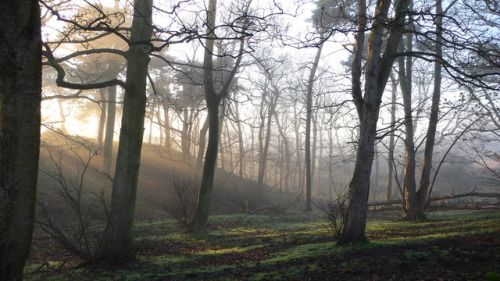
110	128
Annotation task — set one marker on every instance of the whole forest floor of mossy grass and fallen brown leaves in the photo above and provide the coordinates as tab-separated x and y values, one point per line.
451	245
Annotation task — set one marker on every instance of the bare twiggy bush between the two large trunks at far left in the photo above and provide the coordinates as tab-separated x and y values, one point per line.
70	211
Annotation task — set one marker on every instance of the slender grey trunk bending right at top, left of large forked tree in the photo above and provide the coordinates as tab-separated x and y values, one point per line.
307	147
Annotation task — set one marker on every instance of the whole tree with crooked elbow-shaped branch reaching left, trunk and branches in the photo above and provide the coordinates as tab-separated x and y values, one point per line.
119	232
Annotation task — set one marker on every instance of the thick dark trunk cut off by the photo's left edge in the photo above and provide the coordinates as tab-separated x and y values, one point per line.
20	98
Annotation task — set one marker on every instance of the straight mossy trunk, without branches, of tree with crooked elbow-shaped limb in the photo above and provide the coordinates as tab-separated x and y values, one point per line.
118	242
